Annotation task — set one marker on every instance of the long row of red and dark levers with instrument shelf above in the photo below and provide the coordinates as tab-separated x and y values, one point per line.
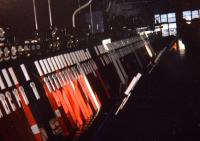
64	83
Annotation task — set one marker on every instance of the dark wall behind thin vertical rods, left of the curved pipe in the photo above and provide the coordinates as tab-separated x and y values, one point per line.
18	14
